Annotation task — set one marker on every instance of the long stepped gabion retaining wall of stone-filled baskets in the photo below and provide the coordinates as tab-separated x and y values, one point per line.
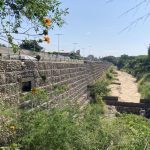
75	75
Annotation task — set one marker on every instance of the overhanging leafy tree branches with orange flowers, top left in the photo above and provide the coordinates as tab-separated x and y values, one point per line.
26	18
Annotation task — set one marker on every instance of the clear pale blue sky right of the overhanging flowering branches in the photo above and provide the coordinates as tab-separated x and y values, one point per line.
96	26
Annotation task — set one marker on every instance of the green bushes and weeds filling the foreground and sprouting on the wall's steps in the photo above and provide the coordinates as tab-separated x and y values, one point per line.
73	128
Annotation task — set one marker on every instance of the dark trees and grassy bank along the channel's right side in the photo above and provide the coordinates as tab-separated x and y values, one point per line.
138	66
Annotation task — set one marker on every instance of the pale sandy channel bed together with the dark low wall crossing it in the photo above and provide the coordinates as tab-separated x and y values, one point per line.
124	96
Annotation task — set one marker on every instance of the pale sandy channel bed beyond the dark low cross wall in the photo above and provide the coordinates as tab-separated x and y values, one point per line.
127	91
